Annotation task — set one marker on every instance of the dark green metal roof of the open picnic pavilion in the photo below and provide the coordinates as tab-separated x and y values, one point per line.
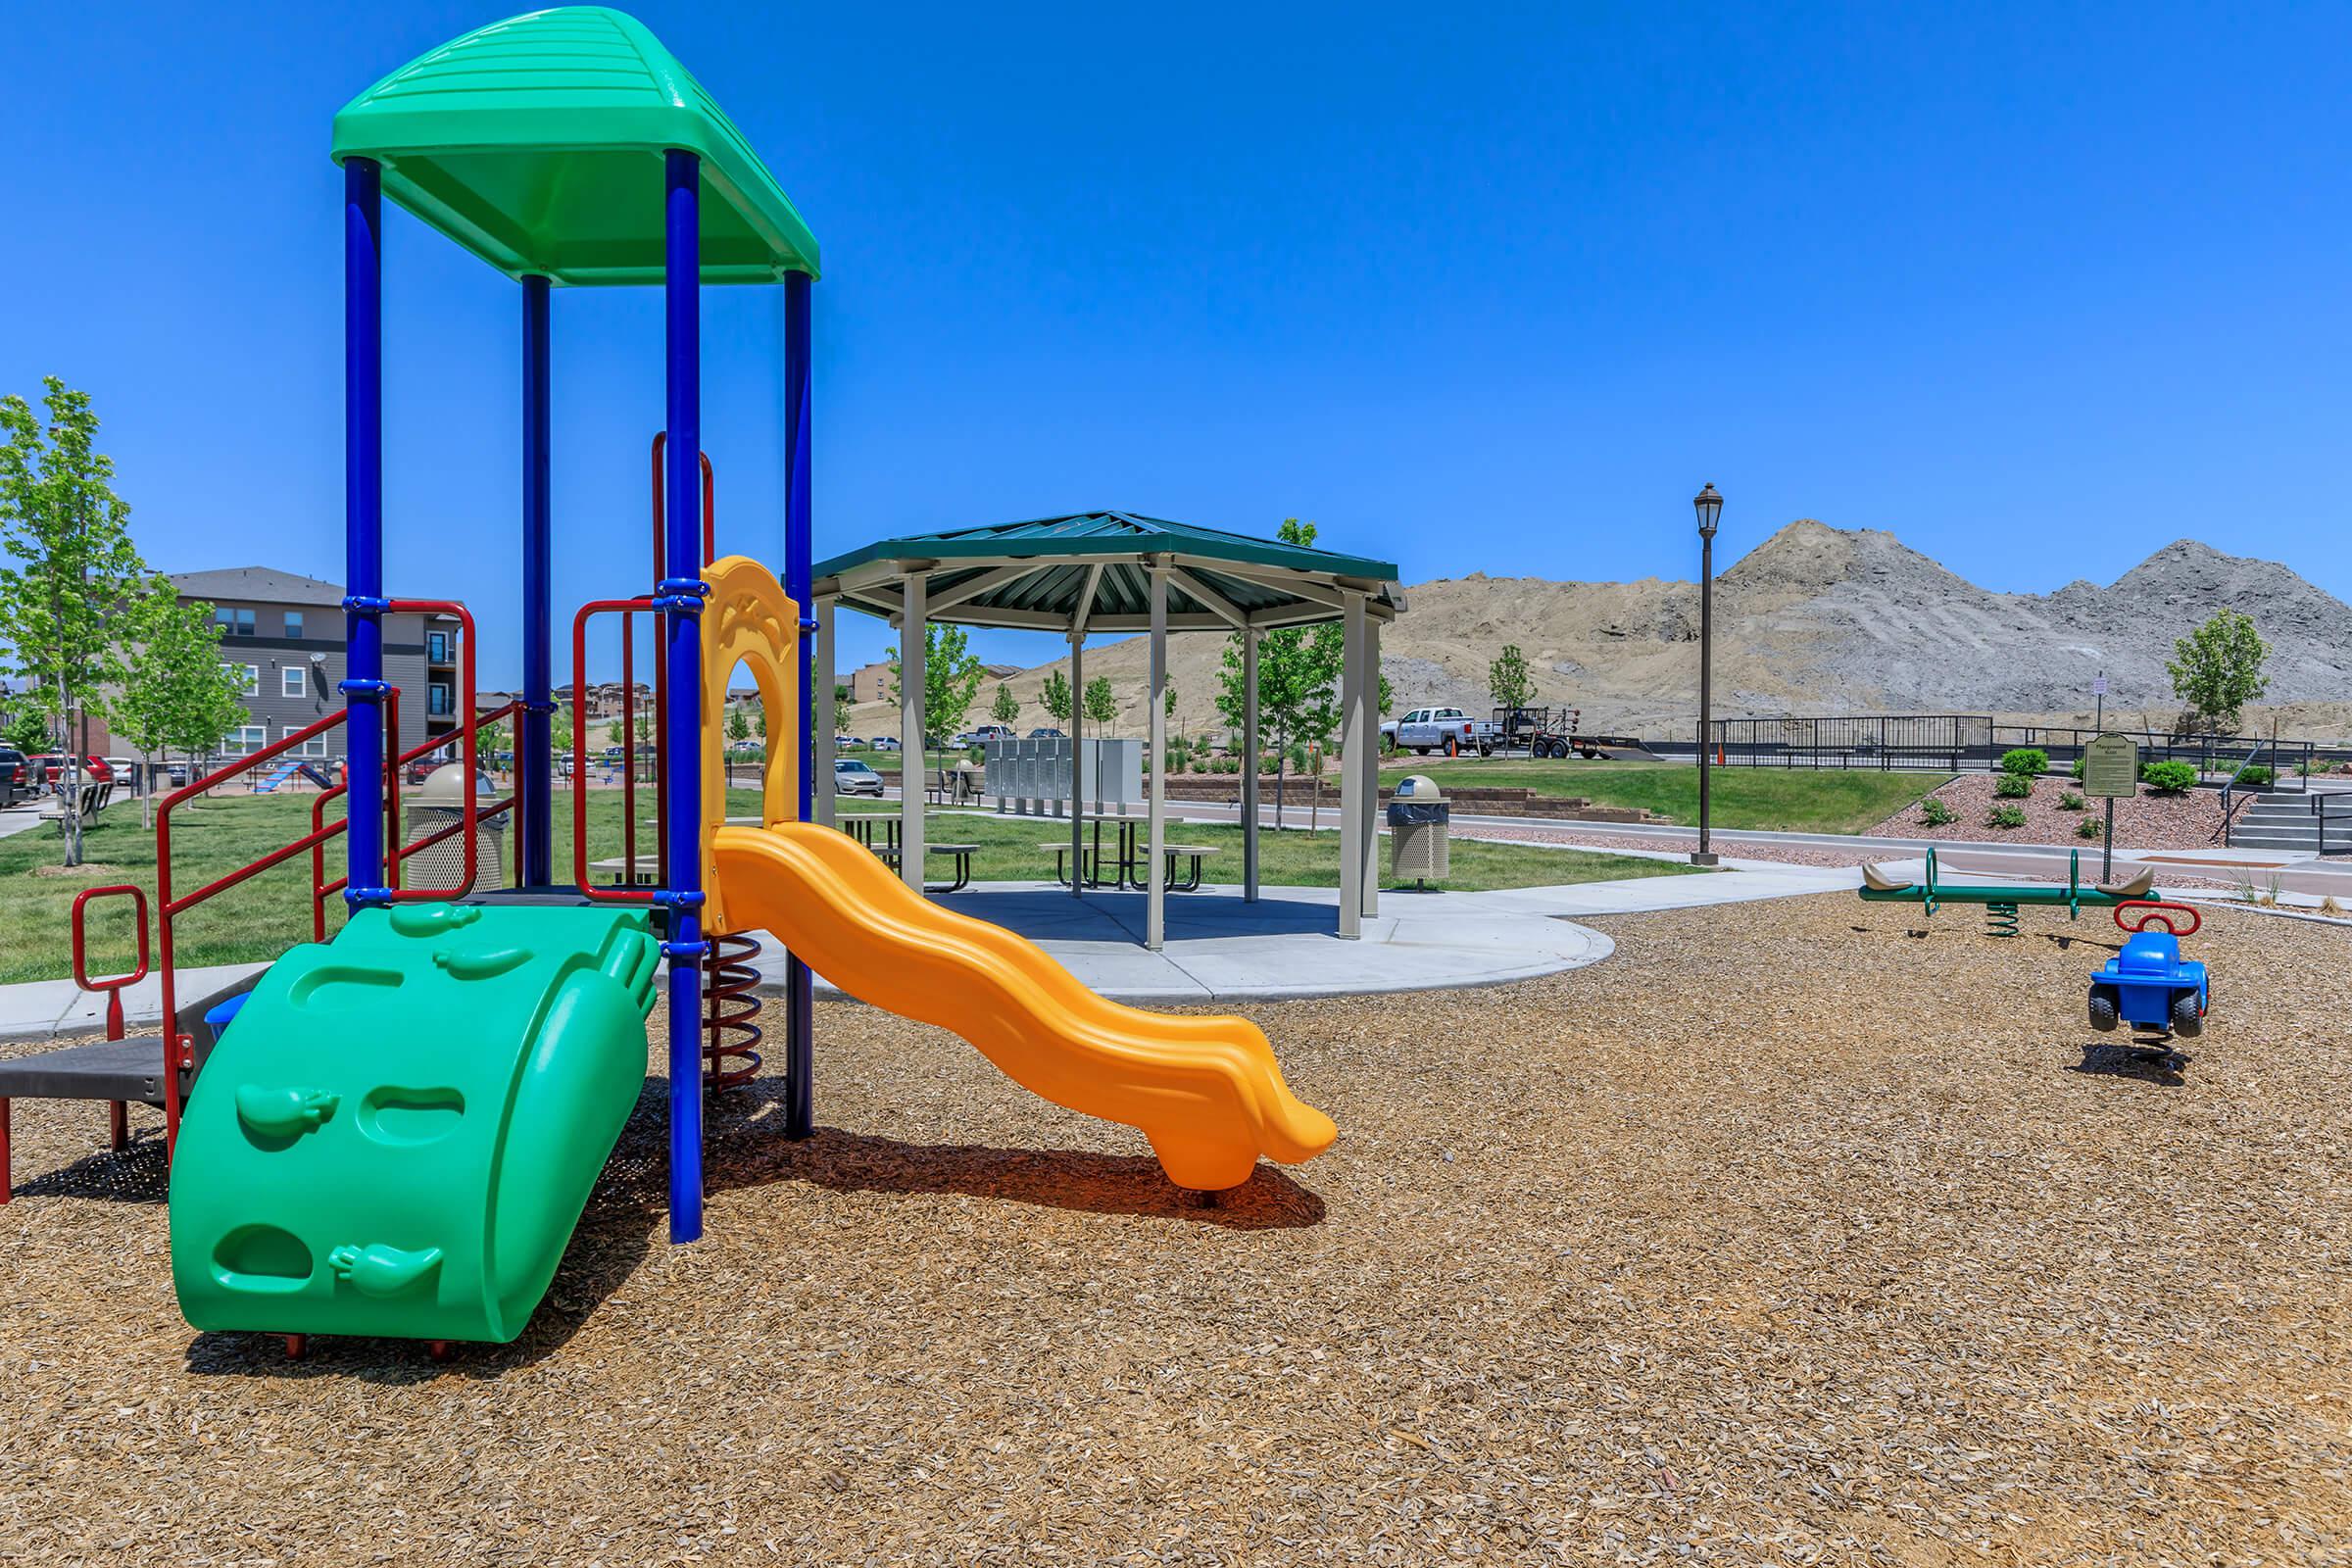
1095	570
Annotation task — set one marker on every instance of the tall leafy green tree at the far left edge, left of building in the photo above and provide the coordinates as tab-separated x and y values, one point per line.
72	570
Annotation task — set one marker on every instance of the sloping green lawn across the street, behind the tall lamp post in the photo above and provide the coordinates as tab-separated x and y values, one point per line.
1791	800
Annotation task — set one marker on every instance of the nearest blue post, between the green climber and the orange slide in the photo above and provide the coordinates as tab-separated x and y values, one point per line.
681	598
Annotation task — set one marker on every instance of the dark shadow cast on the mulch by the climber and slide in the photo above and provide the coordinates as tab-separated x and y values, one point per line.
744	1148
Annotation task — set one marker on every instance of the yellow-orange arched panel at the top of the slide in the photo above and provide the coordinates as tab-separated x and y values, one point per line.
749	622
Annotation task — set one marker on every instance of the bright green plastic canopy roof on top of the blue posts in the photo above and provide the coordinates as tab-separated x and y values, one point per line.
537	145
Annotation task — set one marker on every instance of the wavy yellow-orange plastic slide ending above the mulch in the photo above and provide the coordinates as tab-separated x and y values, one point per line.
1205	1092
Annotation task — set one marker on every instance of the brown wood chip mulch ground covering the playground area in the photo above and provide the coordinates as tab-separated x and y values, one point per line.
1796	1233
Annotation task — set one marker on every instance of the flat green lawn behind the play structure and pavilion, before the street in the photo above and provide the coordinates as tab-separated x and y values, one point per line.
269	913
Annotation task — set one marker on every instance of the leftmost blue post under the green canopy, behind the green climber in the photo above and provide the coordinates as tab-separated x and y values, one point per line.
363	525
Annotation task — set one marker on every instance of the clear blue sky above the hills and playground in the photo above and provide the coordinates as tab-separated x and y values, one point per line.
2040	288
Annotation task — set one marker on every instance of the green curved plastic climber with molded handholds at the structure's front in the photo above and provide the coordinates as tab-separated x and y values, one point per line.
401	1127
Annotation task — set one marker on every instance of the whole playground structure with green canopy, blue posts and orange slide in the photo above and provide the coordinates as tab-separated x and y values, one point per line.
396	1130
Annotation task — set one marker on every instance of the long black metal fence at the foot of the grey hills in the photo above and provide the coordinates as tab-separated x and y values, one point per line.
1965	742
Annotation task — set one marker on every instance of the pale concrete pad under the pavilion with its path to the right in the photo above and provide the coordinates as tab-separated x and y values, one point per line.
1222	949
